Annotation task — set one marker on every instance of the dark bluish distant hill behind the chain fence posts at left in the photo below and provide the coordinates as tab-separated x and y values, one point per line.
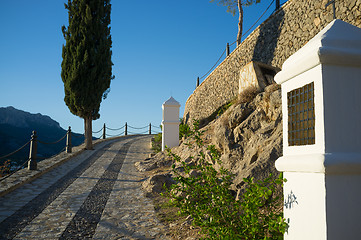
16	127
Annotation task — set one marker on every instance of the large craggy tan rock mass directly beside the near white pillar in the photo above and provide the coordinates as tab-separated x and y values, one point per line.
251	147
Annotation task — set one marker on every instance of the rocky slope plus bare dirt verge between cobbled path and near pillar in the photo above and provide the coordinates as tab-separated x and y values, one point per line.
249	137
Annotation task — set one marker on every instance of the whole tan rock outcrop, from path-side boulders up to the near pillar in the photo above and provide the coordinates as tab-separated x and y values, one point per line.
248	135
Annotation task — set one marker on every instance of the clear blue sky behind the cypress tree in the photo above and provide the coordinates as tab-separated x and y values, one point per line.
159	49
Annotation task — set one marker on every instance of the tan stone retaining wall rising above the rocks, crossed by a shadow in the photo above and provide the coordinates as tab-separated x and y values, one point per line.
281	35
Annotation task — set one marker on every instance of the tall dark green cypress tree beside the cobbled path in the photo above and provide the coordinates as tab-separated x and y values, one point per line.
87	65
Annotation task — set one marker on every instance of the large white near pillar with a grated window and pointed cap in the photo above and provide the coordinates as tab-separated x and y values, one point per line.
321	105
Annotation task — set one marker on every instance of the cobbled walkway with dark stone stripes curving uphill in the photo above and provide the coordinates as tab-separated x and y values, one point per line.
95	195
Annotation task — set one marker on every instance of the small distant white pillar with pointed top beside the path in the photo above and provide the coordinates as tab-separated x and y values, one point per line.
170	123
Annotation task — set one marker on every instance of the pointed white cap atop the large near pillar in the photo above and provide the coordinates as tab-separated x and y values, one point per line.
339	43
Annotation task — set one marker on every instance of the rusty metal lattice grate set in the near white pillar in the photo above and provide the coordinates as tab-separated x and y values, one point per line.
301	116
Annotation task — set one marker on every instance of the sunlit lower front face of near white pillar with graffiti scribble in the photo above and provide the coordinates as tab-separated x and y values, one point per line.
304	198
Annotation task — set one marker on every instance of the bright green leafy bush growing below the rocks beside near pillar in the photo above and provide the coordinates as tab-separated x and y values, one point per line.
204	193
